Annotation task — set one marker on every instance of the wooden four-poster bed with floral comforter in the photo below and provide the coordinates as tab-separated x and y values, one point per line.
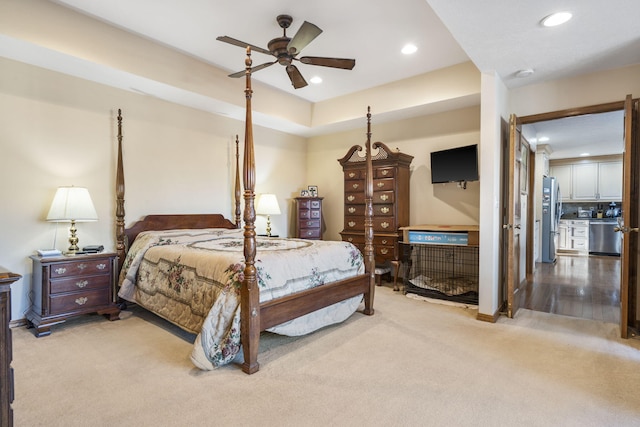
340	274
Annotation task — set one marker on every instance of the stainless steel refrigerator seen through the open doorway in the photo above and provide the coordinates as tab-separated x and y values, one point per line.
551	211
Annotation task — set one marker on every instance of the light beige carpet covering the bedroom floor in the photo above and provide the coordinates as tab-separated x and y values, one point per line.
413	363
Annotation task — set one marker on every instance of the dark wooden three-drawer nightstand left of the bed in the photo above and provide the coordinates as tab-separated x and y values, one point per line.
69	286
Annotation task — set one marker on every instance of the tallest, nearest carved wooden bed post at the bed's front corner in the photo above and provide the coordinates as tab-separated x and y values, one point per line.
249	293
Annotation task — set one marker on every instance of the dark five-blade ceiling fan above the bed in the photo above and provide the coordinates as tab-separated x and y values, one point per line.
286	49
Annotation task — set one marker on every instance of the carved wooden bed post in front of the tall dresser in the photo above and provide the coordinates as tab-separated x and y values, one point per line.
369	255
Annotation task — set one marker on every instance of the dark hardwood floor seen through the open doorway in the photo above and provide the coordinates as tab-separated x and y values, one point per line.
578	286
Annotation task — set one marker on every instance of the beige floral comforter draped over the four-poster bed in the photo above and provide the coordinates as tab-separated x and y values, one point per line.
192	278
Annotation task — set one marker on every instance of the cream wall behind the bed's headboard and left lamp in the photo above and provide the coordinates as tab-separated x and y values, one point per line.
59	130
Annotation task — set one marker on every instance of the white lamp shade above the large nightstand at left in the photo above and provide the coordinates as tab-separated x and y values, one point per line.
72	204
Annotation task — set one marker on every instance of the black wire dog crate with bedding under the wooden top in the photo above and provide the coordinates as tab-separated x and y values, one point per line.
443	271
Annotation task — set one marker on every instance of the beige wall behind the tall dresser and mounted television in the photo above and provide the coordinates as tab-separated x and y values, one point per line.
430	204
